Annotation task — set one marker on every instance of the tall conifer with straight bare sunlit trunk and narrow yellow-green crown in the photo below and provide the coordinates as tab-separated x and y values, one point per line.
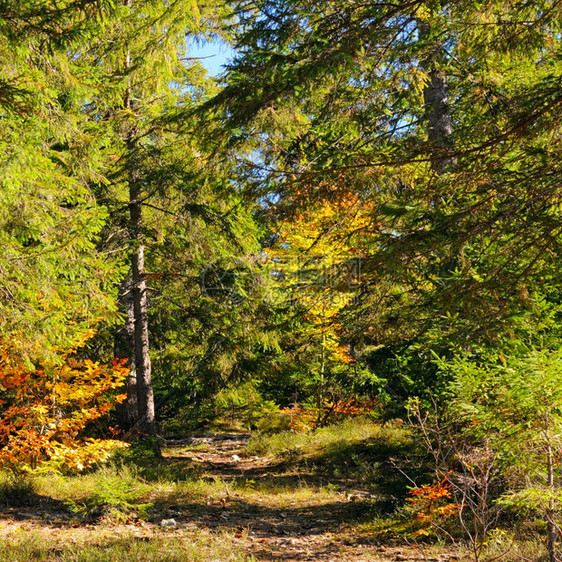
140	79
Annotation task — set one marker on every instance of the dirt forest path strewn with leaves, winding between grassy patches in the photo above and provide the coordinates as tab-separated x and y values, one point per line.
283	510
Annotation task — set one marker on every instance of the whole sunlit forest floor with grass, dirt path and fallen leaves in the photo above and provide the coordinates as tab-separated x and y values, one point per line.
223	497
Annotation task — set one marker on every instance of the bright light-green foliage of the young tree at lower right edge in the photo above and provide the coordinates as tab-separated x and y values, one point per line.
516	404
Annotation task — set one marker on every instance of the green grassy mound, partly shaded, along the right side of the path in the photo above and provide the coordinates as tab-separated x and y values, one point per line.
357	452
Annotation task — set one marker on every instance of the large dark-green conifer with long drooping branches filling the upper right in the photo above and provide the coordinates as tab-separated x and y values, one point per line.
442	115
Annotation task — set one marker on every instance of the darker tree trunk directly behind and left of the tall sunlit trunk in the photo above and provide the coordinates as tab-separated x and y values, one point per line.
127	412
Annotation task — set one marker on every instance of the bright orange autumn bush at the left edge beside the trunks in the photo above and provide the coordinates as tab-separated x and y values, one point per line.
46	408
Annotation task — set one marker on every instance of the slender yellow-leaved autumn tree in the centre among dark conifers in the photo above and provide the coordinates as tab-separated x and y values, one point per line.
318	261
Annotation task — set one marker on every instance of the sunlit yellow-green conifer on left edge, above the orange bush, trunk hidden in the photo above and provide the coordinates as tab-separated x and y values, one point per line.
53	285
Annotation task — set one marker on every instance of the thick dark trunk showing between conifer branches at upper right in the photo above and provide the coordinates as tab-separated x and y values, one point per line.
436	102
